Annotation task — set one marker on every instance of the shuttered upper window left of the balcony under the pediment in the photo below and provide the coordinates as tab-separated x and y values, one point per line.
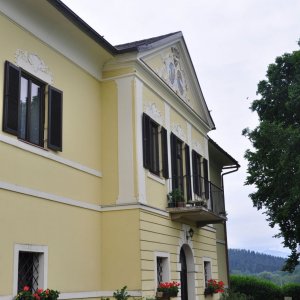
155	152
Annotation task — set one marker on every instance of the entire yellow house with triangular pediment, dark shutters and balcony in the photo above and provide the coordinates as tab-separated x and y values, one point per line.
108	177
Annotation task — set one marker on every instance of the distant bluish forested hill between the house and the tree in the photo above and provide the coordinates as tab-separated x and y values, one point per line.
251	262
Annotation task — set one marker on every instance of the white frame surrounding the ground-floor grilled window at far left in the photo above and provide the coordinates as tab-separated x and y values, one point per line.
43	264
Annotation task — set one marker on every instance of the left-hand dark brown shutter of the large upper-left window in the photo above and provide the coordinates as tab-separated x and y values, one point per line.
11	98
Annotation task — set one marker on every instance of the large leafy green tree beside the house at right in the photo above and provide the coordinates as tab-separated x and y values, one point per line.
274	162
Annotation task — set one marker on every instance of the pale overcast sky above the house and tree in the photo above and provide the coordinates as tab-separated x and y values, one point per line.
231	43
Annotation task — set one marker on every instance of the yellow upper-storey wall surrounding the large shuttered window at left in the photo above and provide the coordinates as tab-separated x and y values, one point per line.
81	123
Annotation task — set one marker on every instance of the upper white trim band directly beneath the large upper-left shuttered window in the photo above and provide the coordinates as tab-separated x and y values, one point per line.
12	141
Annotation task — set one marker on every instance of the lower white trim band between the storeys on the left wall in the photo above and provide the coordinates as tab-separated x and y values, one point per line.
47	196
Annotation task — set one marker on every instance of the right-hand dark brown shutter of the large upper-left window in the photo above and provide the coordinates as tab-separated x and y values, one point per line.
55	102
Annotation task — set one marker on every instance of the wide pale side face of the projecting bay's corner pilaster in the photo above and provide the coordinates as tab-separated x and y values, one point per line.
125	141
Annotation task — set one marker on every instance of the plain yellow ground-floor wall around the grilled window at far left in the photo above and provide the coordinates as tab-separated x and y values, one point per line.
29	220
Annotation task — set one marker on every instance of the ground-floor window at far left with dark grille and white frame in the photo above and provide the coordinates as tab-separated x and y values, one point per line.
30	267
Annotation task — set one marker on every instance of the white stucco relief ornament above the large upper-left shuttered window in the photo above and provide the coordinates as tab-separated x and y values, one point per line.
33	64
